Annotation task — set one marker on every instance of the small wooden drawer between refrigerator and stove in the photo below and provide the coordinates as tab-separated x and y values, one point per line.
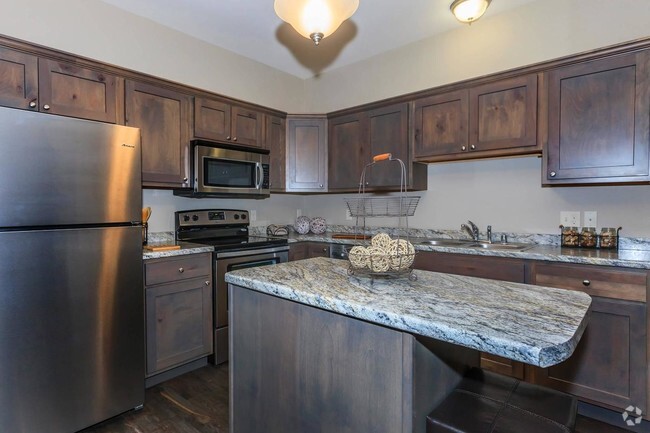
184	268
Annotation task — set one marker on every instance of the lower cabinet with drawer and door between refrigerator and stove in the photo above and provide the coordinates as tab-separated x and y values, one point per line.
178	299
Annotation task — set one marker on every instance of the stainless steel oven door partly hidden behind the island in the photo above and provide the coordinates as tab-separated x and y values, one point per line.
231	261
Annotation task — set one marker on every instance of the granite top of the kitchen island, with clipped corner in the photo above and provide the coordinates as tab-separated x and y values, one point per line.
533	324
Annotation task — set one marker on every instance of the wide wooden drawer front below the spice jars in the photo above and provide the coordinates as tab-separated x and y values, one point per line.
626	284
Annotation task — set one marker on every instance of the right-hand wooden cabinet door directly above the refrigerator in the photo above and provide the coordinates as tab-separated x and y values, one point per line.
70	90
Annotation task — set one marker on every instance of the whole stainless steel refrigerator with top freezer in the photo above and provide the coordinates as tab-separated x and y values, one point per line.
71	298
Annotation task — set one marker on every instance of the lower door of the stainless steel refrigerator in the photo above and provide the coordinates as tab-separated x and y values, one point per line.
71	327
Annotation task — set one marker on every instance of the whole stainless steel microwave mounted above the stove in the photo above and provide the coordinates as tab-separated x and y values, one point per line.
226	170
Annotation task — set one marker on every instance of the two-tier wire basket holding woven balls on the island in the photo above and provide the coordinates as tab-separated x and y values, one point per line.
383	256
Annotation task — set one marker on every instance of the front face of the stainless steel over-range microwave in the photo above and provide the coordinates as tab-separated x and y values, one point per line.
228	171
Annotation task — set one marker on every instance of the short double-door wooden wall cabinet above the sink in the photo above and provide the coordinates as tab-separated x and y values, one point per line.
495	119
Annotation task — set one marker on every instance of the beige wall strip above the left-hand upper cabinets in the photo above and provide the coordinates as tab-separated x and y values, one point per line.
103	32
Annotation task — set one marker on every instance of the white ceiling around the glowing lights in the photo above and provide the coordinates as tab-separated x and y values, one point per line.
251	29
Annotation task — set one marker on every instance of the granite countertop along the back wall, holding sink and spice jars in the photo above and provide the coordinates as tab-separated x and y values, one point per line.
631	258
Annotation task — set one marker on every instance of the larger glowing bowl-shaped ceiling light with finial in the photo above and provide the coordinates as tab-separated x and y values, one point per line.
315	19
